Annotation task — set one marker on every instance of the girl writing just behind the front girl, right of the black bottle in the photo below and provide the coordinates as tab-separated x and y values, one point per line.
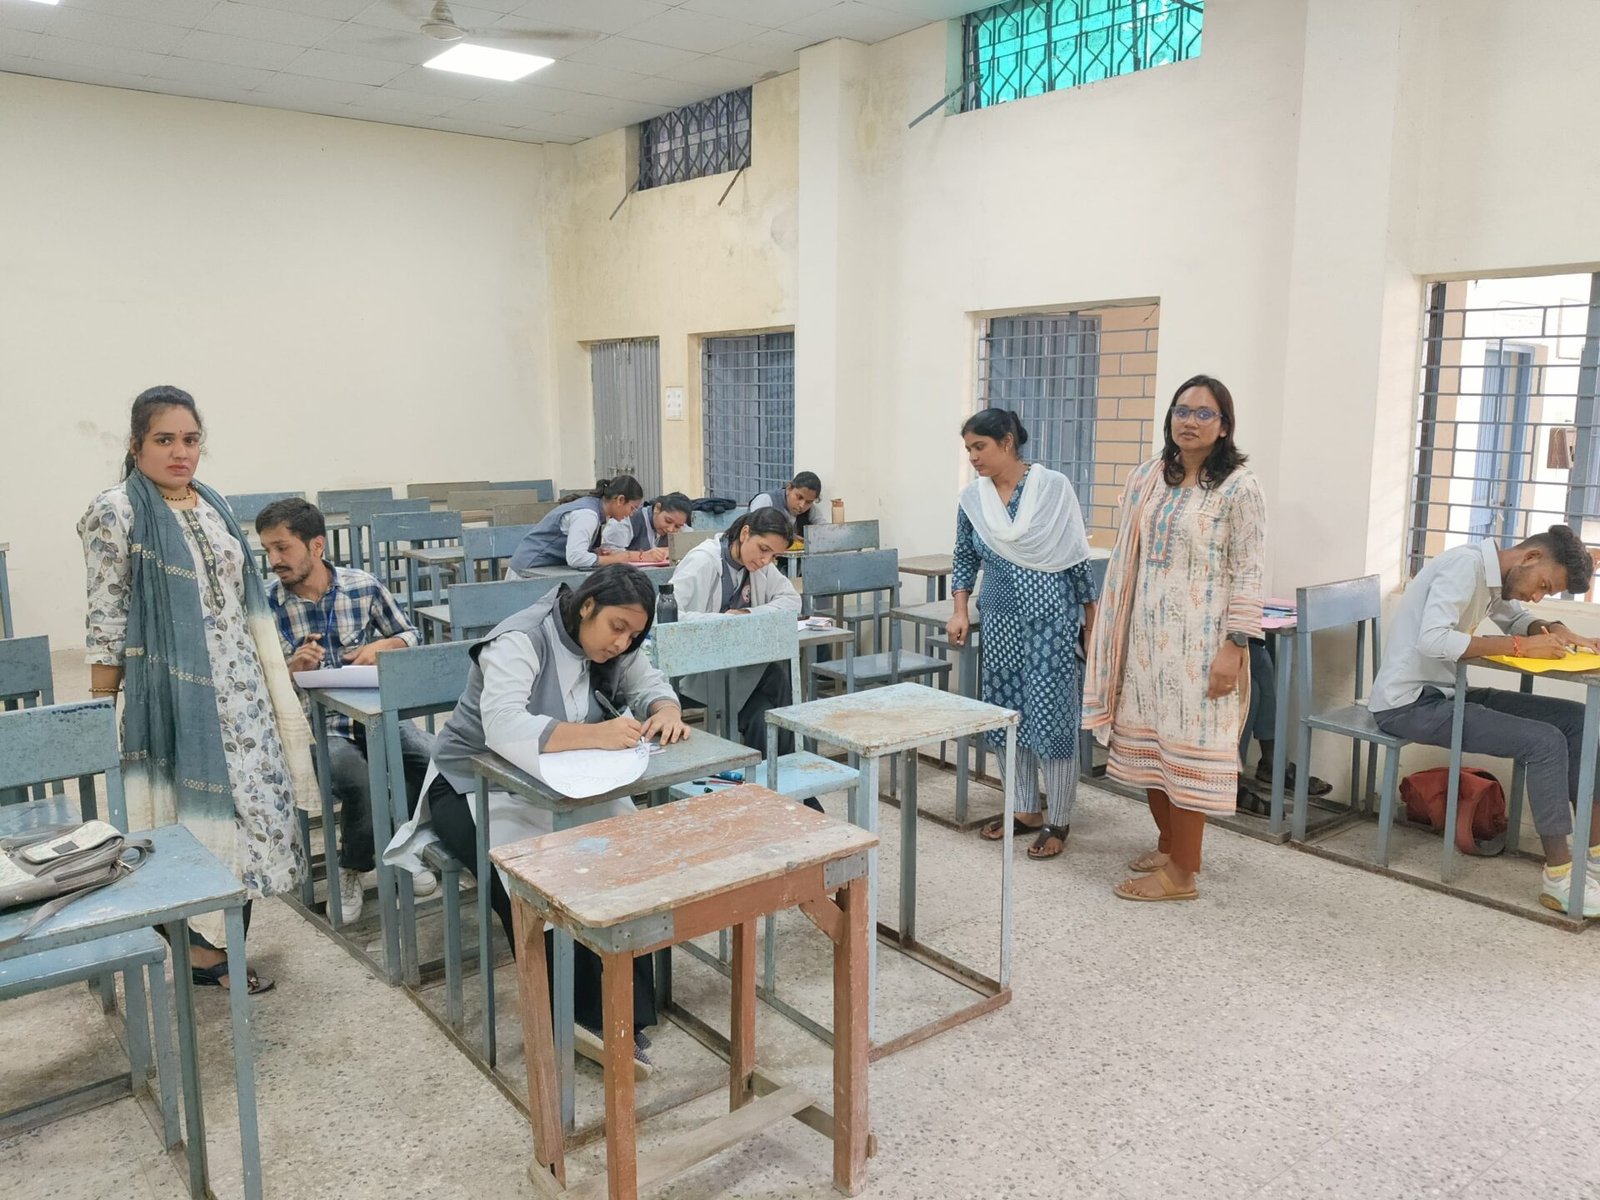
735	574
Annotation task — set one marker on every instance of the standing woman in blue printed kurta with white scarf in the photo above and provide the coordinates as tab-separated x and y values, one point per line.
1022	524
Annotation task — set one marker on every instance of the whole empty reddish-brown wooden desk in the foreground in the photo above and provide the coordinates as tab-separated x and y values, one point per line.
647	881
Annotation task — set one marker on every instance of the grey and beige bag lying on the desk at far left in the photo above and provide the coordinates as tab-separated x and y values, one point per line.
60	863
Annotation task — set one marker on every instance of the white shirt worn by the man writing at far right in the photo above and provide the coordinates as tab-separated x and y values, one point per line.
1436	622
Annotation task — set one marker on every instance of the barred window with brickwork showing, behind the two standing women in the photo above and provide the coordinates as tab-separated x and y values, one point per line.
1084	385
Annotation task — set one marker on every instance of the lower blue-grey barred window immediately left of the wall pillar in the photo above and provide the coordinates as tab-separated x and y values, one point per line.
748	398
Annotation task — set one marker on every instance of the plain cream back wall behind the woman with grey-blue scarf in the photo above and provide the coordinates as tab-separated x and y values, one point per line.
350	303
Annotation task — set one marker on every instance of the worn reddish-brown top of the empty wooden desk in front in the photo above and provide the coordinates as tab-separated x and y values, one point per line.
660	860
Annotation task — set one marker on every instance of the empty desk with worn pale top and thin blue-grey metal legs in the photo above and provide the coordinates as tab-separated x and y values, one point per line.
897	721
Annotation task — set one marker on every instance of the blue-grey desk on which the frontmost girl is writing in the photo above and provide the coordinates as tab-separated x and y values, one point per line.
697	758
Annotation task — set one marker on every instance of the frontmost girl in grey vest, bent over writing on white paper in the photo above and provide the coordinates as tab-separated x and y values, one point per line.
542	682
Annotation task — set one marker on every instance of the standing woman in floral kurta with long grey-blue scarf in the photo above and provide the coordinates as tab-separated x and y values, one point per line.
207	740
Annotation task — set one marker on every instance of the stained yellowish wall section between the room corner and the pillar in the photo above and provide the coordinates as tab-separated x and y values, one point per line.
671	265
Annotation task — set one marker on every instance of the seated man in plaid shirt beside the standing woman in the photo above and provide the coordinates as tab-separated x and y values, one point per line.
330	617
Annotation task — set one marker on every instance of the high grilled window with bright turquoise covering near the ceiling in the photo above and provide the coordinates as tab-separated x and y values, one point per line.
1031	47
